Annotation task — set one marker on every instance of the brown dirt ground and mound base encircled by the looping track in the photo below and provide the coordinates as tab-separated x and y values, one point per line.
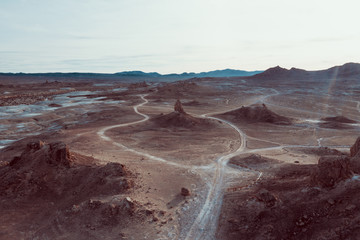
179	137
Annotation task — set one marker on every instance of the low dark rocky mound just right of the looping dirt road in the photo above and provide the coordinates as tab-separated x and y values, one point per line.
257	113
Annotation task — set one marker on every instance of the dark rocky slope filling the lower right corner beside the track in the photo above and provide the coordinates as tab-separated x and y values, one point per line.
296	201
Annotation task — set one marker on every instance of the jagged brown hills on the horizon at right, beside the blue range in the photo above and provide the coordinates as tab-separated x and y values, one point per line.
348	70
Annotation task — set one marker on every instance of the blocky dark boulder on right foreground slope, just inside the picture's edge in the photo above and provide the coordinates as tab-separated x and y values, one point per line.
331	170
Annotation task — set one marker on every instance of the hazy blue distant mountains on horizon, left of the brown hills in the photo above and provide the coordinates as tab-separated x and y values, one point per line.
135	75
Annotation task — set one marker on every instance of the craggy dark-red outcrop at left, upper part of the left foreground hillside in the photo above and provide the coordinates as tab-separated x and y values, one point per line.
49	171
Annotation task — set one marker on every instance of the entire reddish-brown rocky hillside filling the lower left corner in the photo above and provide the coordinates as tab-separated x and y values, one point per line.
65	196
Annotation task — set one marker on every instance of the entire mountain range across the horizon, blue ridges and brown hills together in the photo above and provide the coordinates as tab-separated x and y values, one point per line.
348	71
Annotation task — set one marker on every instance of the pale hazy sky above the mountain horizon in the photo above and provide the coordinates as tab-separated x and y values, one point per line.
175	36
